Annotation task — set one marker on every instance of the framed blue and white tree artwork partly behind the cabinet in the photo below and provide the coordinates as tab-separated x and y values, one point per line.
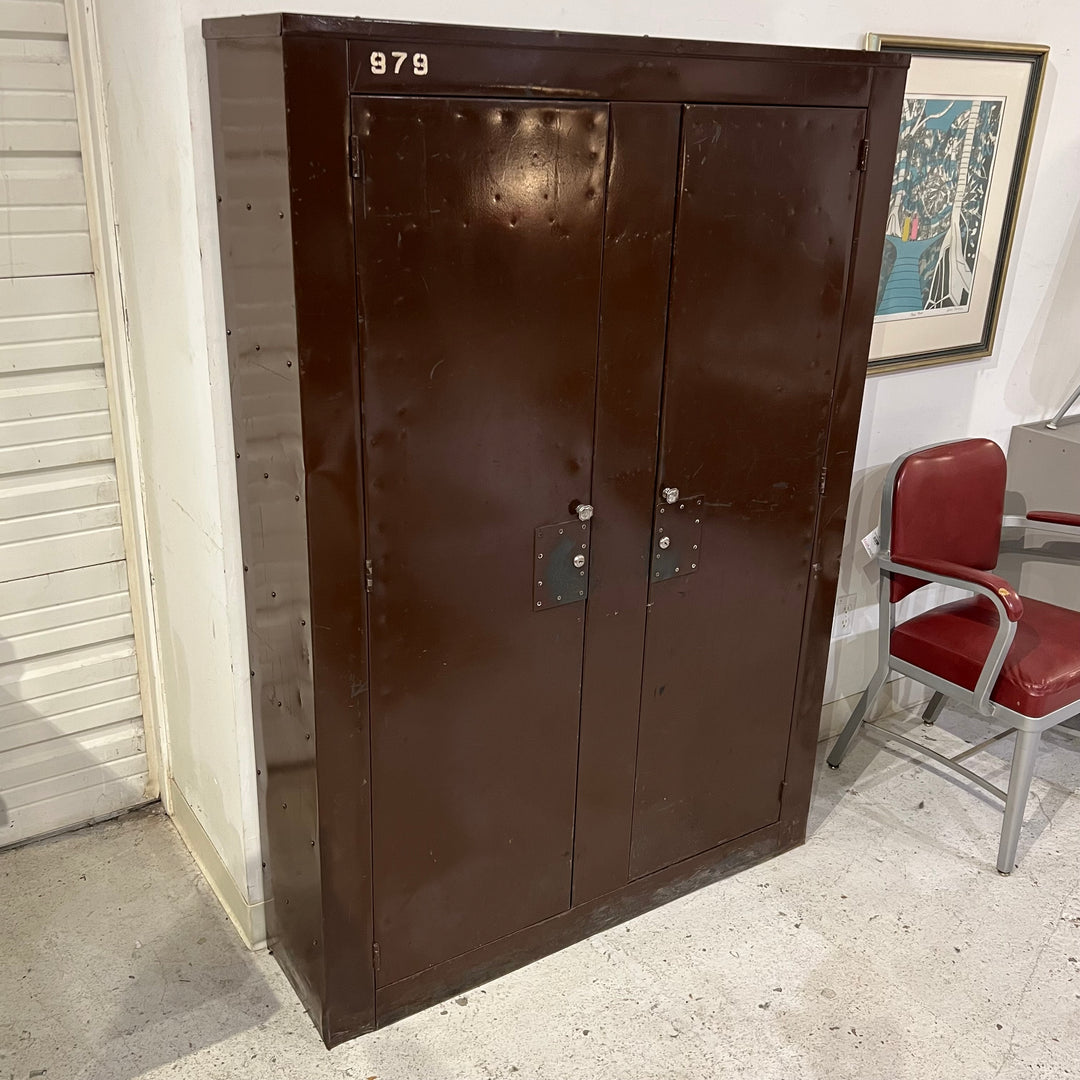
965	139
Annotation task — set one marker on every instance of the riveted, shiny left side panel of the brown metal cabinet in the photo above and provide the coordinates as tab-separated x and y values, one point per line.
248	109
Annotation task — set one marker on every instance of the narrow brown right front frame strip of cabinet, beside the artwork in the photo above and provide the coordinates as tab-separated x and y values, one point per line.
883	128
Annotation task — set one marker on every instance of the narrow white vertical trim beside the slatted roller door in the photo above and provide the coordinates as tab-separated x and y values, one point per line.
93	132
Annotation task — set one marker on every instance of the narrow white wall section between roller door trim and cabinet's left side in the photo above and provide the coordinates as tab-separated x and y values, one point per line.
185	434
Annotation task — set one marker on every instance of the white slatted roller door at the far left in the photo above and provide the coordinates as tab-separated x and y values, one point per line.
72	740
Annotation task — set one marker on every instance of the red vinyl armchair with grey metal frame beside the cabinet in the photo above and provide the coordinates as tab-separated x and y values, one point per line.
1011	658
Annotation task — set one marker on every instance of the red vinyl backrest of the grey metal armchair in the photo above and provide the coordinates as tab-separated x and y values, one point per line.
948	503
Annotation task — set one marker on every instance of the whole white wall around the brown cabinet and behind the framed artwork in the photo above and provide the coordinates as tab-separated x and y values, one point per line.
163	157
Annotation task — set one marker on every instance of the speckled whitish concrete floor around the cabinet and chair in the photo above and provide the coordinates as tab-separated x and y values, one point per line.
886	949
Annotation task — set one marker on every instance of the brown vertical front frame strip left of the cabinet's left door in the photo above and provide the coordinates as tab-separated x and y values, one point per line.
325	263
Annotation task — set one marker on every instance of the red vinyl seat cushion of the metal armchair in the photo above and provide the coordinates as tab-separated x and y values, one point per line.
1042	673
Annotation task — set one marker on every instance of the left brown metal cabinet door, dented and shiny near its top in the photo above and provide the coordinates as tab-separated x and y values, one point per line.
480	231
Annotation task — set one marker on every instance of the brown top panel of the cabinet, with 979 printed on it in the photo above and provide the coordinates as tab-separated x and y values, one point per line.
442	60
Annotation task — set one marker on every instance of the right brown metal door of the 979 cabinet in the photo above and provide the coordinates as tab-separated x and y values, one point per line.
763	248
